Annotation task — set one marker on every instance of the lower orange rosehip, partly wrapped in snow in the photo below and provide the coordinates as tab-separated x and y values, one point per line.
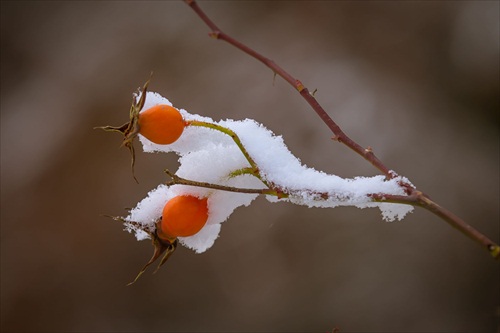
183	216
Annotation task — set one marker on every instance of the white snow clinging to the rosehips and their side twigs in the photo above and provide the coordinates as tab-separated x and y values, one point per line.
211	156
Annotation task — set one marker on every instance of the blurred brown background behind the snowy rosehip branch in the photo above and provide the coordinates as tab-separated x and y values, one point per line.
417	81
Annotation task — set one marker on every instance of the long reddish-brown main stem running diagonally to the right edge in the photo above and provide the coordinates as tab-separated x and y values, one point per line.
414	197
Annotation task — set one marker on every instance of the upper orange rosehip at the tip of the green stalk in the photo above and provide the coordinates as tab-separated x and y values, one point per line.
161	124
